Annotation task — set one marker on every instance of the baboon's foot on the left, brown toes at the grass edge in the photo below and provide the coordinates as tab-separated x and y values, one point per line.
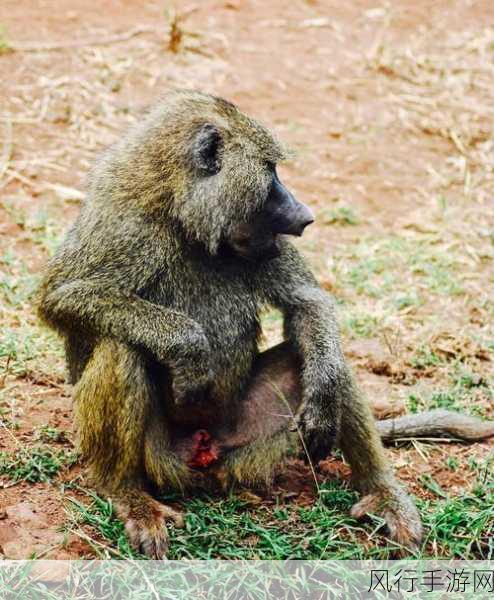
145	522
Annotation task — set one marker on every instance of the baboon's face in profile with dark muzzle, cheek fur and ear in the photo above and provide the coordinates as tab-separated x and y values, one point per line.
243	203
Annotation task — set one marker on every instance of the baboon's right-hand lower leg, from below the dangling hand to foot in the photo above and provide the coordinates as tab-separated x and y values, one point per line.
372	474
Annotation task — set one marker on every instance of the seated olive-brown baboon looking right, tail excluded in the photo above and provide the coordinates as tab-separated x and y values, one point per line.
157	291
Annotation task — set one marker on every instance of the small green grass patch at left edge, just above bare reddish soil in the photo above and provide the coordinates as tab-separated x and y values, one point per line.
34	463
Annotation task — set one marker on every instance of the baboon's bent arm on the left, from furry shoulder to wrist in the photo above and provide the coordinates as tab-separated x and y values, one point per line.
96	284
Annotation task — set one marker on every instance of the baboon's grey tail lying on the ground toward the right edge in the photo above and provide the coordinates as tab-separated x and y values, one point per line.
437	423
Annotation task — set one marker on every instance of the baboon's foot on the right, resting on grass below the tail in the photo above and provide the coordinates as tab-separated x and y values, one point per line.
397	508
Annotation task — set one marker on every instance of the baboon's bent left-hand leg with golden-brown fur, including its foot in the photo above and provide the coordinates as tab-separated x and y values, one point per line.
119	436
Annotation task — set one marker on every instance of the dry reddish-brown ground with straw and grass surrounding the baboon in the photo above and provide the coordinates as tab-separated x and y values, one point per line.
388	108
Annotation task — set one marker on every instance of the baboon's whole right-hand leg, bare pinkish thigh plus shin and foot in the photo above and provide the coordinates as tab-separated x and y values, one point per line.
266	413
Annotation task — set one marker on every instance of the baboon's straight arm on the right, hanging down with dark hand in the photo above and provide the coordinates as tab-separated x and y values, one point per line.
310	327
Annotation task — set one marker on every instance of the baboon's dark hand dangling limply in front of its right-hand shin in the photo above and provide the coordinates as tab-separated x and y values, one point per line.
318	431
